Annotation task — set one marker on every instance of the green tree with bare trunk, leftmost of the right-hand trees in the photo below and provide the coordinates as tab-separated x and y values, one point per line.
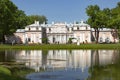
93	12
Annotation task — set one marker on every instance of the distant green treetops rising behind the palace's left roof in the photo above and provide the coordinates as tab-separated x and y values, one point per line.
41	19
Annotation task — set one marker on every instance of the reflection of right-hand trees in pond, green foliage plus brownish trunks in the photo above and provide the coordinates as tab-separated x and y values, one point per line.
106	72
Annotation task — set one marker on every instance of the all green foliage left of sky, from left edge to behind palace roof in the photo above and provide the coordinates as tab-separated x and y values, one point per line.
11	18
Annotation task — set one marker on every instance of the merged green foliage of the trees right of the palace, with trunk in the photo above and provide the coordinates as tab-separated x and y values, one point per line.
98	18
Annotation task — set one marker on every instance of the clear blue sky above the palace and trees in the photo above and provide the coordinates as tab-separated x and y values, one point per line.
62	10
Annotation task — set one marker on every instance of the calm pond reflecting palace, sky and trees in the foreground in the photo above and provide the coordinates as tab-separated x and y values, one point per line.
66	64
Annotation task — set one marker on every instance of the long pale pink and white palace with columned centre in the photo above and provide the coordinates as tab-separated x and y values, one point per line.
62	33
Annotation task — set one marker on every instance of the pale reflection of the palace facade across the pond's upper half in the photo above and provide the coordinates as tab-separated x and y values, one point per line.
64	59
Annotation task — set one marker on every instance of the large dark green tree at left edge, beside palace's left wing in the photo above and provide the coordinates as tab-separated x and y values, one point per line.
10	18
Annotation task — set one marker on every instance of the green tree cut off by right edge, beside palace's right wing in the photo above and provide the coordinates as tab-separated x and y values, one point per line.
114	21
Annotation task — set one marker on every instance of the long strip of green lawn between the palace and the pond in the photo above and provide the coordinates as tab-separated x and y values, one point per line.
62	46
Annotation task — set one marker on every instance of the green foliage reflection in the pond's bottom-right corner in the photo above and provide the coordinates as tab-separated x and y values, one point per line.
105	72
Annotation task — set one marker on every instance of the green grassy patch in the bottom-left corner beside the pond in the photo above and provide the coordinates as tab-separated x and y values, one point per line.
13	73
